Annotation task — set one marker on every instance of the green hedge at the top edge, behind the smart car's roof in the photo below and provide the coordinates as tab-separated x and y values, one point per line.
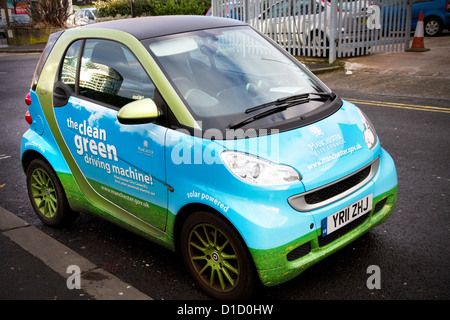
113	8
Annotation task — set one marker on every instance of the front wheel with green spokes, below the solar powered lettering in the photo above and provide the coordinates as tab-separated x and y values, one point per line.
216	257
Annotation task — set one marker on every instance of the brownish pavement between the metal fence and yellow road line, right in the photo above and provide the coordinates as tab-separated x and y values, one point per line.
425	75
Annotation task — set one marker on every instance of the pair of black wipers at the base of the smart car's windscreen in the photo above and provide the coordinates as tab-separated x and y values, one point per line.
281	104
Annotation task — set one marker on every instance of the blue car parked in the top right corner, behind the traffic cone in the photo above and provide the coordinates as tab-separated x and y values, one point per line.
436	15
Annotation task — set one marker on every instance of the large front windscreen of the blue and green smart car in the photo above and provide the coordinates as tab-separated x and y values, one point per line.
225	75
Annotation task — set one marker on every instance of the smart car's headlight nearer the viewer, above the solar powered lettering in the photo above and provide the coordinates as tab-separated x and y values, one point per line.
258	171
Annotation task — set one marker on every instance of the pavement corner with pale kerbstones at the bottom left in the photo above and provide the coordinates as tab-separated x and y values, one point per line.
34	266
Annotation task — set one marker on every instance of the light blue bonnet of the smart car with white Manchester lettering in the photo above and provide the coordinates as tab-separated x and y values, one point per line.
321	152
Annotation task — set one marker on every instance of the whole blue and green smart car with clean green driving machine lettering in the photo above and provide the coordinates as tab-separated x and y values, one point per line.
202	135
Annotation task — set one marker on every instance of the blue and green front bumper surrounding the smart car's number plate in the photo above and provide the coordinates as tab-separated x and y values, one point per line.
282	263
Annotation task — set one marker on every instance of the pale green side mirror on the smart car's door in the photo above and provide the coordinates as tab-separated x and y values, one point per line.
138	112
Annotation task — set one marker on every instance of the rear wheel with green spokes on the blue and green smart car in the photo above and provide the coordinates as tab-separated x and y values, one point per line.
47	195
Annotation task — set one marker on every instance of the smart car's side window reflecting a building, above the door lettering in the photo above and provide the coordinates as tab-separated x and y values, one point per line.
109	73
